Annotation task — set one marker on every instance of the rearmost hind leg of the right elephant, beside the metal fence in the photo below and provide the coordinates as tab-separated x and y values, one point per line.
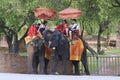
85	63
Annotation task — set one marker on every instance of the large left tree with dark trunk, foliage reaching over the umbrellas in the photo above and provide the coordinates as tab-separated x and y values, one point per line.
17	13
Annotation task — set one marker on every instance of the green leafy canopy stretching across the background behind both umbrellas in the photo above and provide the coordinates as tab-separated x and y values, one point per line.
97	15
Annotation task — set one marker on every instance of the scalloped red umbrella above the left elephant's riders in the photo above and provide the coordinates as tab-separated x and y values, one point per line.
44	13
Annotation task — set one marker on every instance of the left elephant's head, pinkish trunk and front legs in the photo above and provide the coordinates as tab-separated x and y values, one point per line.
36	53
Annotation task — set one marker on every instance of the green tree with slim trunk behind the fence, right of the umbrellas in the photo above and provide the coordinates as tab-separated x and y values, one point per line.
98	16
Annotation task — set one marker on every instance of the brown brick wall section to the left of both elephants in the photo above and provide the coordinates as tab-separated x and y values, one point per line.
13	63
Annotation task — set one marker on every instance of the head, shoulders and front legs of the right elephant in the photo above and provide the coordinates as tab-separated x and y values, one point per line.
61	45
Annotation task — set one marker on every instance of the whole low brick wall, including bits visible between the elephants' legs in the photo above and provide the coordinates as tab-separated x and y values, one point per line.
10	63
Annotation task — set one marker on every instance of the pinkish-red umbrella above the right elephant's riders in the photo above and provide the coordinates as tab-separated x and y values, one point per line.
69	13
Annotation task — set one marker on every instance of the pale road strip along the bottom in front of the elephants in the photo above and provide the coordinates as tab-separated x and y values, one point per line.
12	76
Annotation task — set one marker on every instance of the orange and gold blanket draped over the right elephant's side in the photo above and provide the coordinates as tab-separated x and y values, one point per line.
76	49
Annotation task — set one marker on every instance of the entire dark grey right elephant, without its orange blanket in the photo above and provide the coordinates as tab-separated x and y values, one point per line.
61	45
